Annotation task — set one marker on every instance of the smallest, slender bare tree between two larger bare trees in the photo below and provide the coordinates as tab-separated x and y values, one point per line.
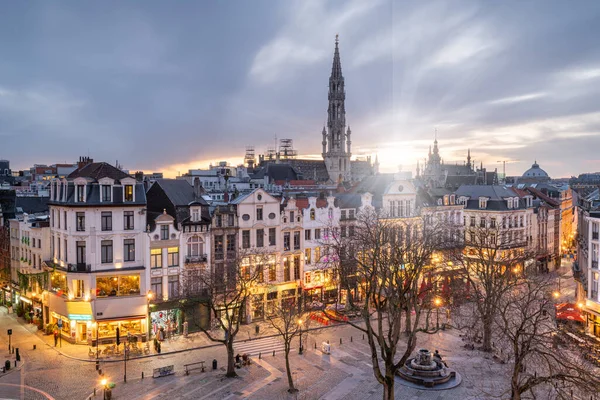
289	323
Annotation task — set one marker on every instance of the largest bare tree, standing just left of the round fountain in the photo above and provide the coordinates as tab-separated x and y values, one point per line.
388	258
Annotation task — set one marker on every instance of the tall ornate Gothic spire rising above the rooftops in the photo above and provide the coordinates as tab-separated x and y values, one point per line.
336	138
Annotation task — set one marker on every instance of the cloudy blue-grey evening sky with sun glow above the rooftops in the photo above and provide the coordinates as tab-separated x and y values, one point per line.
168	86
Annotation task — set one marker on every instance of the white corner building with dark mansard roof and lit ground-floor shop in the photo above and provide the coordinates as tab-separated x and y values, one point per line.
98	257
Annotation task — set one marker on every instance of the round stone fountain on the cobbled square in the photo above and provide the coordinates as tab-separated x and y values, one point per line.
426	371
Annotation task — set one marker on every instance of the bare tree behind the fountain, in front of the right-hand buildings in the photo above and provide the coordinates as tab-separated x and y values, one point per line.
490	262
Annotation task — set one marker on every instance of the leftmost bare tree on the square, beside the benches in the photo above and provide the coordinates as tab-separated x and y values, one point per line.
228	288
